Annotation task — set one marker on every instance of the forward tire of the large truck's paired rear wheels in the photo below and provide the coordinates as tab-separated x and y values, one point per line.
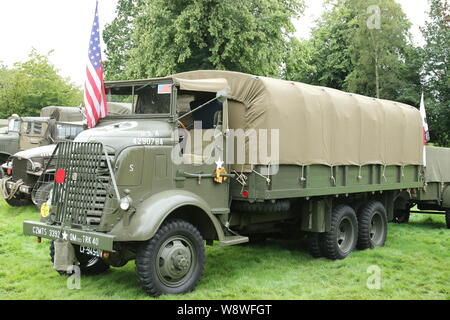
341	240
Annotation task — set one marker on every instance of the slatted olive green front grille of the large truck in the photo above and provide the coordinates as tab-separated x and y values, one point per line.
81	198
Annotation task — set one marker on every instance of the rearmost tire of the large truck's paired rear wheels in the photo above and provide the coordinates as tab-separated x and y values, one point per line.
372	225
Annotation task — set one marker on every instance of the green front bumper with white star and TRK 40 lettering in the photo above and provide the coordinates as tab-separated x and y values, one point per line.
90	239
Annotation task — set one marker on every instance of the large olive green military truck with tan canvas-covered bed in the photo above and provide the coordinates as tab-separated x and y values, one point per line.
224	157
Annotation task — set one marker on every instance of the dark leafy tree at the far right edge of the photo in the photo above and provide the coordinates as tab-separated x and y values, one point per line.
436	71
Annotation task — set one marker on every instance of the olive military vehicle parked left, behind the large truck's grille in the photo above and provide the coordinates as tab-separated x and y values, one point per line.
23	169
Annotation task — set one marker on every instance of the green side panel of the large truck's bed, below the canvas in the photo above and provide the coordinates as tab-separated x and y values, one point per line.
317	180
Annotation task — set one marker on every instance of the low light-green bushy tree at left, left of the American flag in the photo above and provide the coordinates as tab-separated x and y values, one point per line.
32	85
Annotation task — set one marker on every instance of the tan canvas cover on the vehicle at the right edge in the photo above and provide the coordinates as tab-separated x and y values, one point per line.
438	164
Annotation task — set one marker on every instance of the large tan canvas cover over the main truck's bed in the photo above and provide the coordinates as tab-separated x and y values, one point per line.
319	125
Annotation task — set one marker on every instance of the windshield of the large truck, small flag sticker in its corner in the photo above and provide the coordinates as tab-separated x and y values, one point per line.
152	98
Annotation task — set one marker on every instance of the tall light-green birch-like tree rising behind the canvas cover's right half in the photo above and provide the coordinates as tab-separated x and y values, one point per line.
378	48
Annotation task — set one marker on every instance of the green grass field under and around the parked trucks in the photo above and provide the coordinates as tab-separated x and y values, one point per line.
415	264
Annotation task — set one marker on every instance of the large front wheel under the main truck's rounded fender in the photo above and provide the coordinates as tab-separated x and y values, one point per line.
172	261
